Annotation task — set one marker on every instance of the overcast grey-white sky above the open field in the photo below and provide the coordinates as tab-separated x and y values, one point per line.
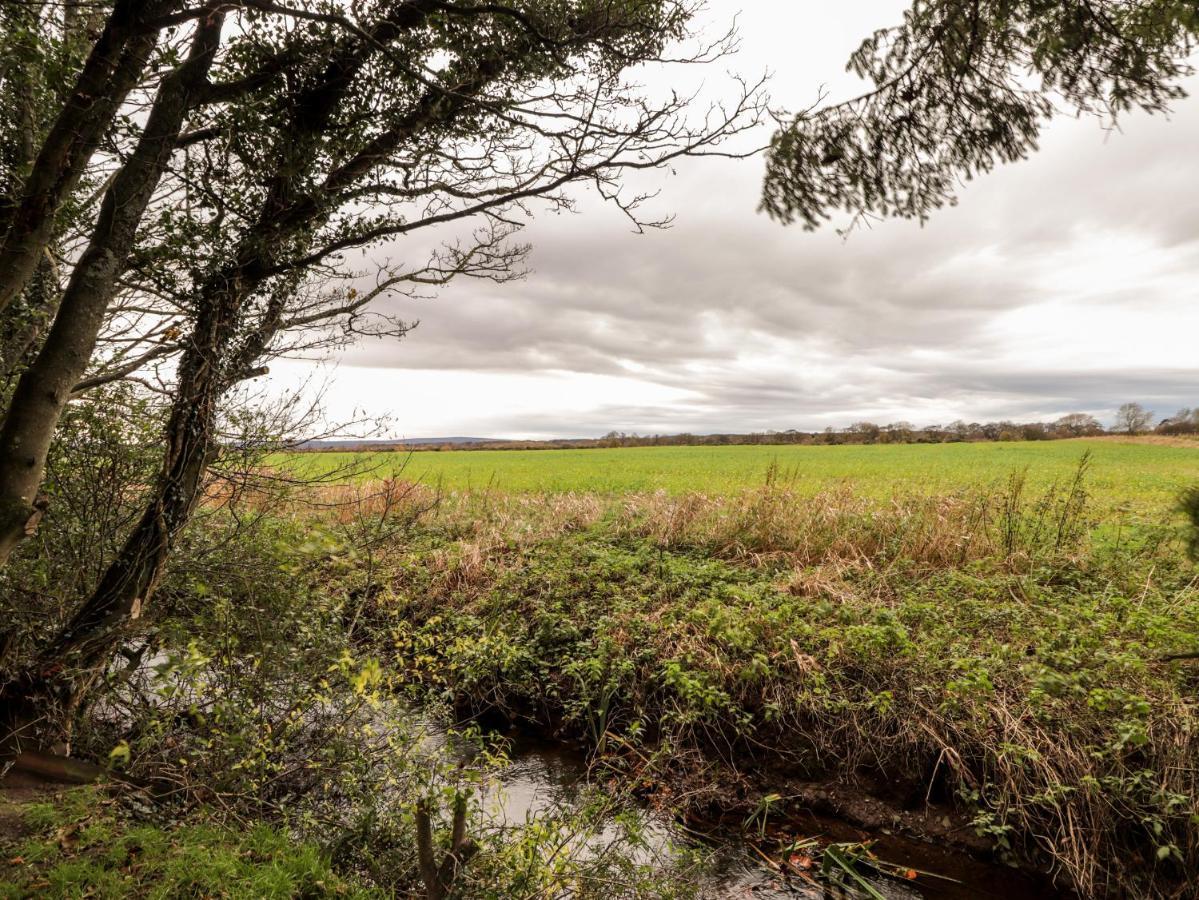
1064	283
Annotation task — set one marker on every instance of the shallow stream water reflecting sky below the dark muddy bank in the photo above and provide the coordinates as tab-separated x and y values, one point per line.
545	775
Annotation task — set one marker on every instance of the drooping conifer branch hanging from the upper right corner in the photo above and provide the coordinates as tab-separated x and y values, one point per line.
963	86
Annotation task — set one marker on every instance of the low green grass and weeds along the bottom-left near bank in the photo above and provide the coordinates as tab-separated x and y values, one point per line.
112	843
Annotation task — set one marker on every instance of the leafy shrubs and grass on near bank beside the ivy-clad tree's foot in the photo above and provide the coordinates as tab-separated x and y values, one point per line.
256	746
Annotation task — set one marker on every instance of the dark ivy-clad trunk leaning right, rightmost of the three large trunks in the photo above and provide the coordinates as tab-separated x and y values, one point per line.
213	363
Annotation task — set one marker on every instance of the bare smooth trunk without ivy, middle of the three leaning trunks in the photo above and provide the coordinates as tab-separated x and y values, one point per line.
45	389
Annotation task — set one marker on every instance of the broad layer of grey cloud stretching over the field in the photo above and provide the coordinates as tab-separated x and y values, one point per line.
793	329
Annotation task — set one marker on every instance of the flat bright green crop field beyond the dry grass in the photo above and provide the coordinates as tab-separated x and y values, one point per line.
1146	478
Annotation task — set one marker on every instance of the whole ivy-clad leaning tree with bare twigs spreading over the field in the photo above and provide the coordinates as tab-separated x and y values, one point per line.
407	117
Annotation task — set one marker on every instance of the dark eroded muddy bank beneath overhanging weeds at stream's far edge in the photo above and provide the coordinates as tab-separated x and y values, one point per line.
713	798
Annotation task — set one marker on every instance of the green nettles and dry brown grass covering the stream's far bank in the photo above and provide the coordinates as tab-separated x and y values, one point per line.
999	651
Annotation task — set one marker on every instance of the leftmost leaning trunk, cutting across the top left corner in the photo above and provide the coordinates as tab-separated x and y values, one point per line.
113	69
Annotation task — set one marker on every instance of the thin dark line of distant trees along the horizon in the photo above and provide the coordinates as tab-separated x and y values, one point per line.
1132	420
